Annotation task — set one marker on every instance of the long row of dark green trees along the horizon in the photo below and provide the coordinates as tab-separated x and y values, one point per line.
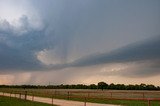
100	85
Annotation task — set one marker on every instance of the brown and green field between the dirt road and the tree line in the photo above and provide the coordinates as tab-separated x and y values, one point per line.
121	97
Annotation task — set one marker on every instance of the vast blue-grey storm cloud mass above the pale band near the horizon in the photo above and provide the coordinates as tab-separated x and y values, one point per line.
67	23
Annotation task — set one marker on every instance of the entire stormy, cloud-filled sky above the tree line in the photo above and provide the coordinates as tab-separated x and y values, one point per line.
79	41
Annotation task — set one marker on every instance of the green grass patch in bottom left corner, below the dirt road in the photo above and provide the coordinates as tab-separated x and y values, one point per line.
6	101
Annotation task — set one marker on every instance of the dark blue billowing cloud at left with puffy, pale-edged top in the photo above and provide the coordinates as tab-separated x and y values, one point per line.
19	45
